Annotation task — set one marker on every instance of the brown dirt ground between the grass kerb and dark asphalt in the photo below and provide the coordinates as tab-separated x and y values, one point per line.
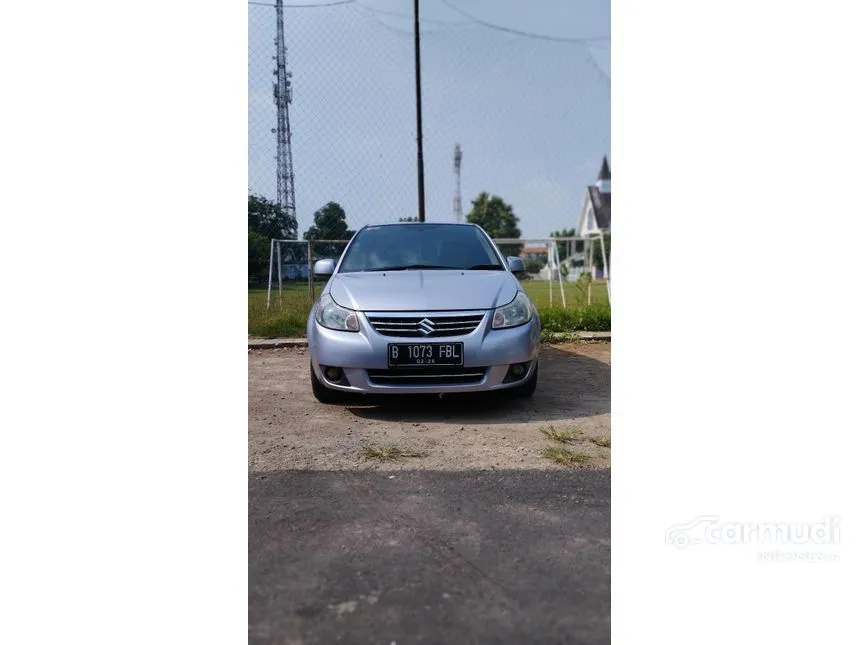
288	429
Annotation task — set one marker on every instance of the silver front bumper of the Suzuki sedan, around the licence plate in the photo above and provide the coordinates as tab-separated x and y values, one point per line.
493	350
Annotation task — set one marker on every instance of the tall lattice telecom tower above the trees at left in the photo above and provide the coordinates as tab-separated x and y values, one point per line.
283	92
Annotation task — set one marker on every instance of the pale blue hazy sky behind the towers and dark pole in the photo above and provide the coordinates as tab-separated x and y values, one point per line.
532	116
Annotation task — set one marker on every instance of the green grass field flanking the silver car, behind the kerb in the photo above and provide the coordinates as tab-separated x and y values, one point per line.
287	317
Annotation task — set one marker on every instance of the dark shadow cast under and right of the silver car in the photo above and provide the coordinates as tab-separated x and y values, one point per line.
571	385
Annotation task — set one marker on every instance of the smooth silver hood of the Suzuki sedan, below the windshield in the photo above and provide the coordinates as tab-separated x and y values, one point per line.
415	290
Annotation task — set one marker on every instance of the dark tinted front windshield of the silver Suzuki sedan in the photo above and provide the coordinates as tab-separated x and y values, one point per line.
420	246
